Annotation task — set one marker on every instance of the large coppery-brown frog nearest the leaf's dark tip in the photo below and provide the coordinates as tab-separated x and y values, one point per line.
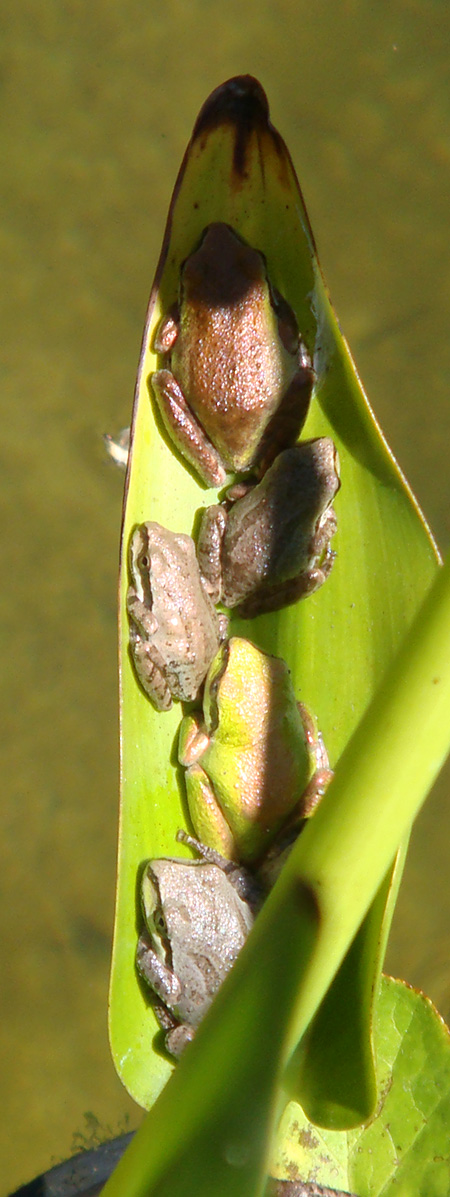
236	380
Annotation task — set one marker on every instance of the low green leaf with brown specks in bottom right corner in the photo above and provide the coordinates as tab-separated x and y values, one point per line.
405	1151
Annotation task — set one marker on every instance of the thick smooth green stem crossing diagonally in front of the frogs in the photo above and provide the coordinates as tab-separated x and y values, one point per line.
210	1132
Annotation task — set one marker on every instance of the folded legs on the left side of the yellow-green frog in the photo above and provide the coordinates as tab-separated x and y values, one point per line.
208	819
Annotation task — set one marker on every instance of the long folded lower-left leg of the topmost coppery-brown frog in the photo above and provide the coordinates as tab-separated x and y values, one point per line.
185	430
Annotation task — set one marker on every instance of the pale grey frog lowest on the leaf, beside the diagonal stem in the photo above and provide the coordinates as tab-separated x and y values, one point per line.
198	915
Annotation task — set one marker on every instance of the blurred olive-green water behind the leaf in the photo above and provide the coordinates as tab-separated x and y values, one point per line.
99	102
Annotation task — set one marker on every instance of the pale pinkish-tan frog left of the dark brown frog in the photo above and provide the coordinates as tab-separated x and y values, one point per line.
174	628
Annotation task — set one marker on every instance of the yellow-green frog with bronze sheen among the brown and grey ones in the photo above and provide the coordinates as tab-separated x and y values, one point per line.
254	758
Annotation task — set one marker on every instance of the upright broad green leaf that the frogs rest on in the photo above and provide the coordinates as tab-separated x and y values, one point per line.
339	642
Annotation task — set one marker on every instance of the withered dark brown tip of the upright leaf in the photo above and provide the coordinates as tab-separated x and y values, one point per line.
240	102
